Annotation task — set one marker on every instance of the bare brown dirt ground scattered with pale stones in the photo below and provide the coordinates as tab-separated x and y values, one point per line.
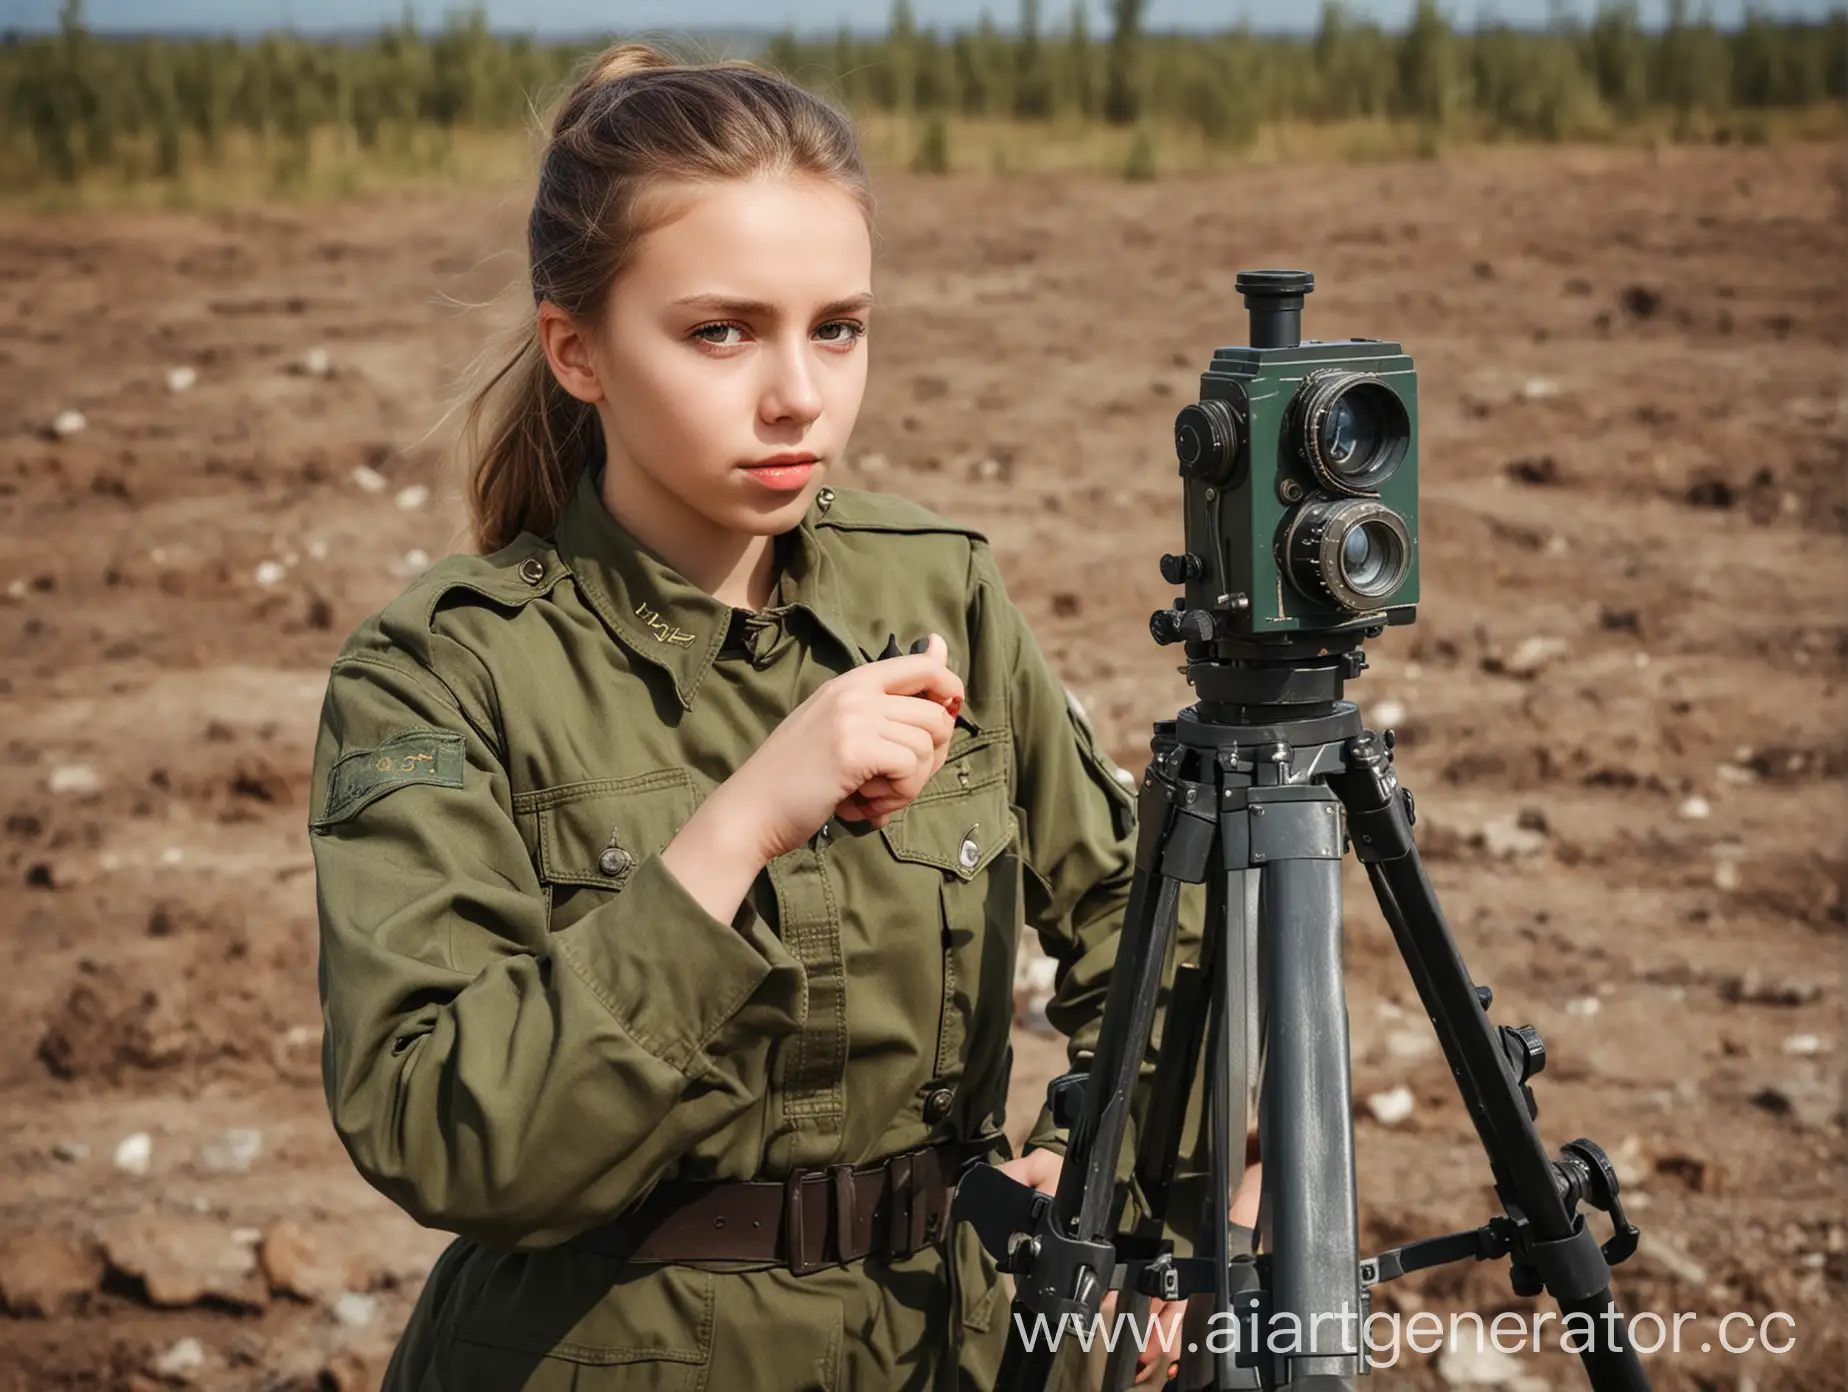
1622	705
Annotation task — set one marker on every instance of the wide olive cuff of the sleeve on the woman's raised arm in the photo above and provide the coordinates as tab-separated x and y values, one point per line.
674	975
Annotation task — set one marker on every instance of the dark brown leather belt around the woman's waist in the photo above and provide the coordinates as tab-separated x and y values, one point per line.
812	1219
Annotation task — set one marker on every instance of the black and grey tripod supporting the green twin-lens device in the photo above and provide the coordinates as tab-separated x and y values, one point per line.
1258	792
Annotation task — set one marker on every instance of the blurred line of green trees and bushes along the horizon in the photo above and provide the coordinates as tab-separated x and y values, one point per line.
79	104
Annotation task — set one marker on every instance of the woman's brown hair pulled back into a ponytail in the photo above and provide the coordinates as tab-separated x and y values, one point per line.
633	119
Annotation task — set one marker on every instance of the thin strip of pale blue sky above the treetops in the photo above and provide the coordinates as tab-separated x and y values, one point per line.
629	16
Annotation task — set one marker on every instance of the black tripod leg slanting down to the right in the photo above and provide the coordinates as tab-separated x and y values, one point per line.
1553	1239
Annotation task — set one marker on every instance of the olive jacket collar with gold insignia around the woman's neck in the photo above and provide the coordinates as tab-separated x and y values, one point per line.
664	618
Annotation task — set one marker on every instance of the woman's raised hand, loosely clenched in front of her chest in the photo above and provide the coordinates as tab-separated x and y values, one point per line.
860	748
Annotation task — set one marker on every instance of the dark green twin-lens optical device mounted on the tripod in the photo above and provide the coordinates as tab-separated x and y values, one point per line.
1300	480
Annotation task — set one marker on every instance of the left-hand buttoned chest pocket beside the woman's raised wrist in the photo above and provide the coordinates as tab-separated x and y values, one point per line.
594	835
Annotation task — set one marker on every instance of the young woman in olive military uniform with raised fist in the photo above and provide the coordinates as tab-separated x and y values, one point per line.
668	918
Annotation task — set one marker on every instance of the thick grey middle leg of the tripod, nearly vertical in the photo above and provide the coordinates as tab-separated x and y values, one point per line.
1307	1093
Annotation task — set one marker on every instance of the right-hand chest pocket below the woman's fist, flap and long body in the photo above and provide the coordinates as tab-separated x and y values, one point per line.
964	829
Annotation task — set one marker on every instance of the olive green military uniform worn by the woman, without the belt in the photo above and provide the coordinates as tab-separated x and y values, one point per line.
531	1023
